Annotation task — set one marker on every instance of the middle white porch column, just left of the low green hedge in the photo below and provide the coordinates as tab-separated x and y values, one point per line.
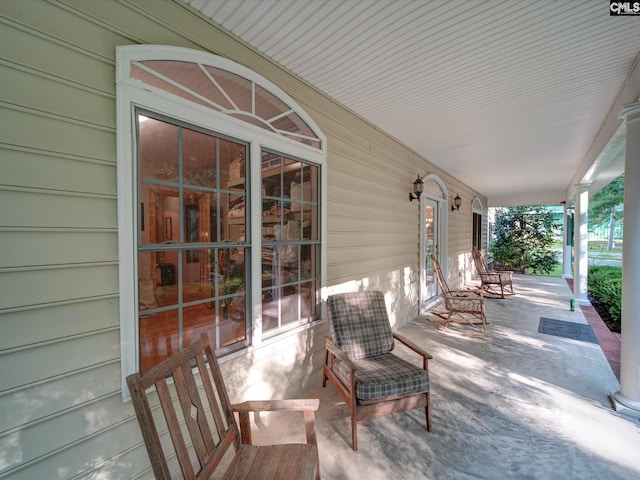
581	245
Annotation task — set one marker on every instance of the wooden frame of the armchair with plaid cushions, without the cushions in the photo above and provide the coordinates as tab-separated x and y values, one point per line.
359	409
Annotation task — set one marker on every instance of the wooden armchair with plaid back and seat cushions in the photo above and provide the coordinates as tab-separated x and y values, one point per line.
358	361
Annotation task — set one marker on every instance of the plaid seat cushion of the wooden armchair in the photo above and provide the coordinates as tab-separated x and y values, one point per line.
383	376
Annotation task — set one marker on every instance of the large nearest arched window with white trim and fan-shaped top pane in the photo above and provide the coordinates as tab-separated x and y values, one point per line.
220	202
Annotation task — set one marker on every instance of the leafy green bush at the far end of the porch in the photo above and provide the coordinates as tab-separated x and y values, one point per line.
523	239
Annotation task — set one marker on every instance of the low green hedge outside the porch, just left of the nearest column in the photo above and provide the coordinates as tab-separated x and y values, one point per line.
605	290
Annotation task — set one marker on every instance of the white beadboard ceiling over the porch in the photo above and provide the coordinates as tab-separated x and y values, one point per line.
517	99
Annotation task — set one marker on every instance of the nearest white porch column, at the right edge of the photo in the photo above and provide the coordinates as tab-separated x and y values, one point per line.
627	400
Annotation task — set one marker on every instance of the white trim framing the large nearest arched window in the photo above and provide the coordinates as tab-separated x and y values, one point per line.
132	93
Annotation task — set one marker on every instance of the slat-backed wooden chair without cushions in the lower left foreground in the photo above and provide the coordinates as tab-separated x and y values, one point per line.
202	397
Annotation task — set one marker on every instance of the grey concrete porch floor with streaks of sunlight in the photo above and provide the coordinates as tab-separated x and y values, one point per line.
517	405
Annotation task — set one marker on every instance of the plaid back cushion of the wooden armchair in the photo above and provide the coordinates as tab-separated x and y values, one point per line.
359	324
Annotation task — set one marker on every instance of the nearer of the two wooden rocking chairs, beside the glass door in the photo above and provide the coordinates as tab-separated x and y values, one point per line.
463	307
